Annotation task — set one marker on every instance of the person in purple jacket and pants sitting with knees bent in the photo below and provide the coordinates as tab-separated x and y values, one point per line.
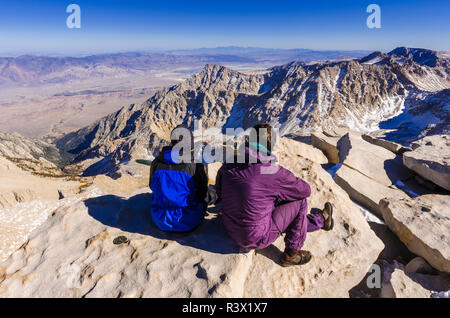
259	205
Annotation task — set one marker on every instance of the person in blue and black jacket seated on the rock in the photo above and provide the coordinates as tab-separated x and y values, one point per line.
180	189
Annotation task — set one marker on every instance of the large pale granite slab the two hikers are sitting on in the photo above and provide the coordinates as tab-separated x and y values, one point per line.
73	255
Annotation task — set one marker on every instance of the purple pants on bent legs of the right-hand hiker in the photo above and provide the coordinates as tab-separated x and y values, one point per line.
293	219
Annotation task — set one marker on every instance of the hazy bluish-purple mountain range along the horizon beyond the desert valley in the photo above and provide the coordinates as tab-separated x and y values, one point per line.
38	70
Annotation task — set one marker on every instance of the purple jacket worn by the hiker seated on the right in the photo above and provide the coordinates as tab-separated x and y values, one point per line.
248	198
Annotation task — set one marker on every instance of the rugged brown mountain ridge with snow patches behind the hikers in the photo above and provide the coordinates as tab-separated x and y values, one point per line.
405	91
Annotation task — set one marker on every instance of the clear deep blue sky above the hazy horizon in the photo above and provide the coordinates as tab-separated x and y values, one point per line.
28	26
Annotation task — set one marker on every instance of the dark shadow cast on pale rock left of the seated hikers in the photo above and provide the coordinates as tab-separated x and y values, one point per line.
133	215
